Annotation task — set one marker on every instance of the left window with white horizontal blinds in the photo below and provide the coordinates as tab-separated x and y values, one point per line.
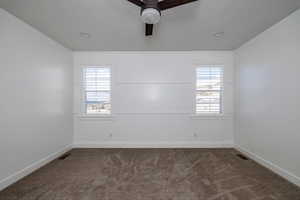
97	92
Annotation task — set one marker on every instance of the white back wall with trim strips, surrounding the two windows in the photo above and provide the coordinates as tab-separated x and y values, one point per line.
153	101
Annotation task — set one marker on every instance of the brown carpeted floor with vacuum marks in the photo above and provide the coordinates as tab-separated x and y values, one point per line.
152	174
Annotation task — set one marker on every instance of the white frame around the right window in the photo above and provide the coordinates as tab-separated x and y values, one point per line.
222	105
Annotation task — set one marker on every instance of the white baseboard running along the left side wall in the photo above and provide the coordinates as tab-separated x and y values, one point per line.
31	168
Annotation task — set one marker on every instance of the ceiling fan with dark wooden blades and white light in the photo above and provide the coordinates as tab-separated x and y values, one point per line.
151	10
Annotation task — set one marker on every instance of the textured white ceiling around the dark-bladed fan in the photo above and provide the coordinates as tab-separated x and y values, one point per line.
115	24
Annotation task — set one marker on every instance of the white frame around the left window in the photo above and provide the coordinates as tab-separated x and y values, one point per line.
83	92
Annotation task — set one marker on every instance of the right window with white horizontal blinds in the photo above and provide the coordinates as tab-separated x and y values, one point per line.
209	90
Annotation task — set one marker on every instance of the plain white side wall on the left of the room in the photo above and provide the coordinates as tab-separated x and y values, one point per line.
36	98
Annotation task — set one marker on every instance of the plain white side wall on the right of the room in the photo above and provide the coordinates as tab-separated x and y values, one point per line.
268	105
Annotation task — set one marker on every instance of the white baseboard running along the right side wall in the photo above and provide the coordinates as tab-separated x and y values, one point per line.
275	168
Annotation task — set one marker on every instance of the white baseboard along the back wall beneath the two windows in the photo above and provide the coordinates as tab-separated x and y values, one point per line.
185	144
